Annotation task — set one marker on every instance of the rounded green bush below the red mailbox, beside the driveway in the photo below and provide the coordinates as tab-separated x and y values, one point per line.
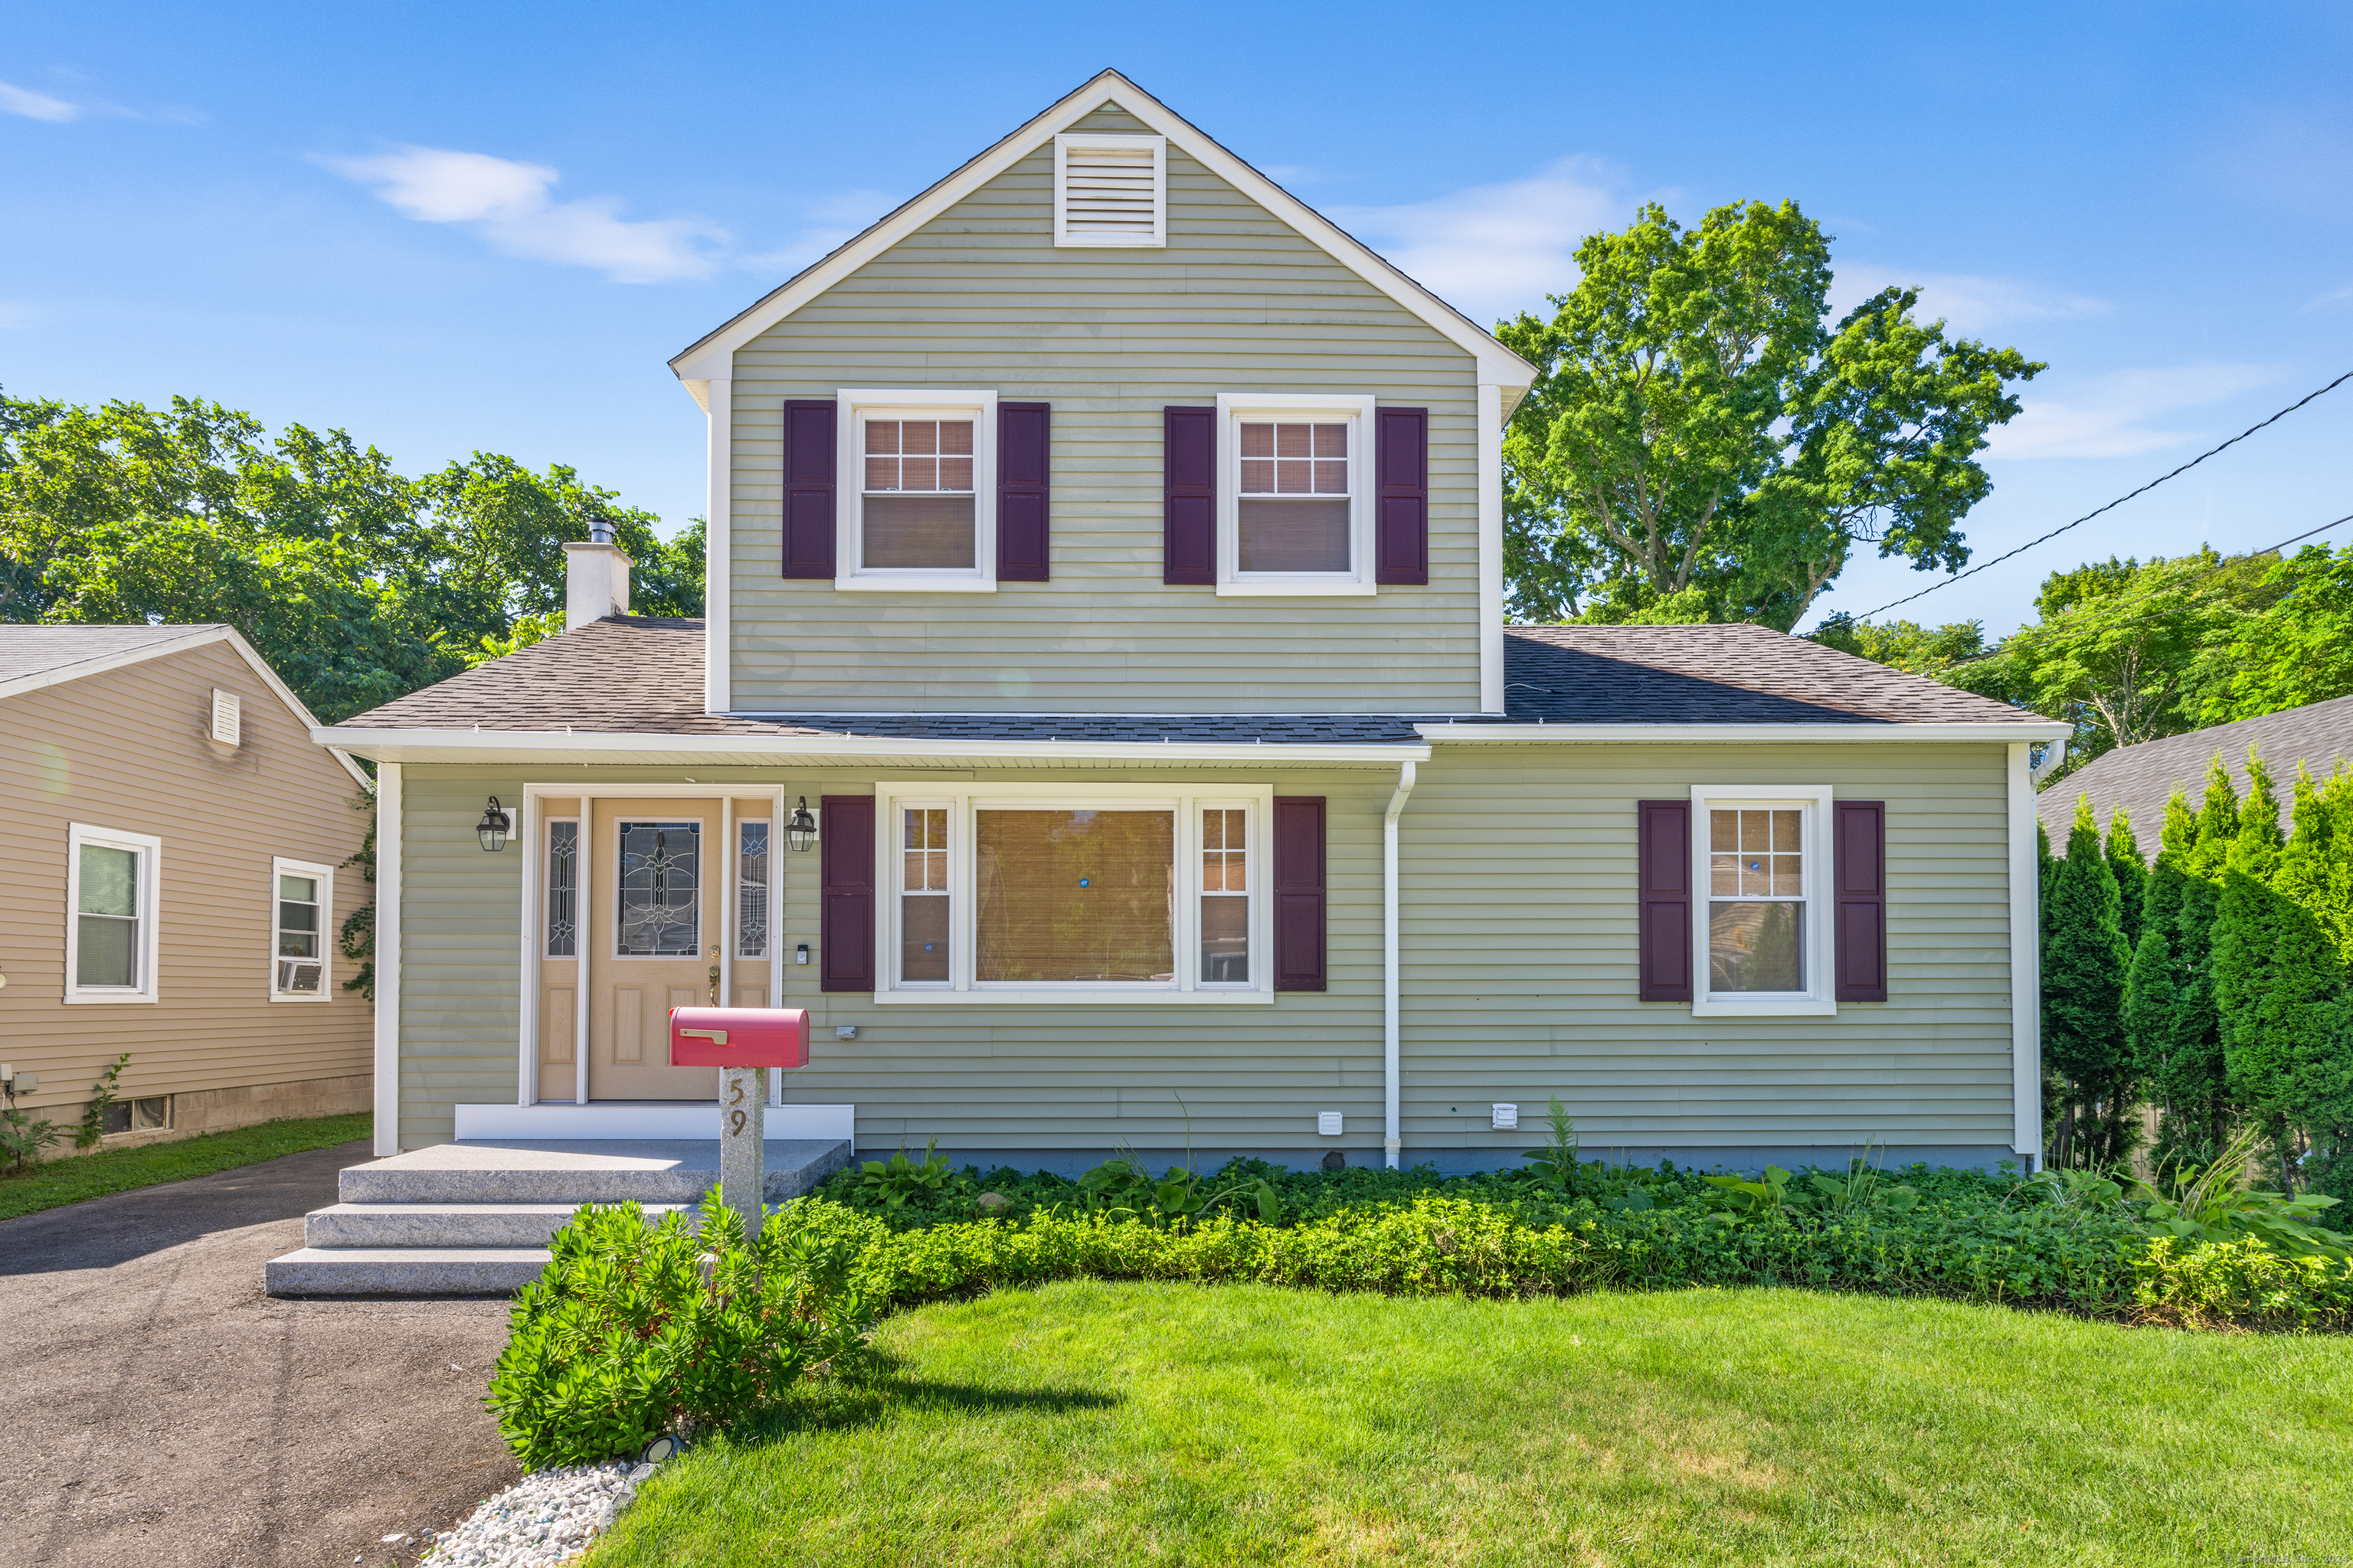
639	1329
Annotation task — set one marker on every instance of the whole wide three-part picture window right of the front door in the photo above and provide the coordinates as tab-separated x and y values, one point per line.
1074	893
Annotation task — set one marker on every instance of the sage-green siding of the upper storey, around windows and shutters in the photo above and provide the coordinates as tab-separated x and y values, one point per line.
980	298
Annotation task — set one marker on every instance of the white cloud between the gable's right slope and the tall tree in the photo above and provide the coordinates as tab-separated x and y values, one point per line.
1498	251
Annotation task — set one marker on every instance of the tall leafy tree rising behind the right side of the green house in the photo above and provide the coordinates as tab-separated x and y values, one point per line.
1698	430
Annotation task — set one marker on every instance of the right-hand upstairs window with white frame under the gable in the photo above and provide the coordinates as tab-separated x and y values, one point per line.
1295	493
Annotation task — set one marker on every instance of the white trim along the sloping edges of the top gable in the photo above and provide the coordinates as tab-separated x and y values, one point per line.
712	354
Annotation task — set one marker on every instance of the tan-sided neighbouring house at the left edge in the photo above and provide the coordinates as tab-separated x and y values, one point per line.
173	846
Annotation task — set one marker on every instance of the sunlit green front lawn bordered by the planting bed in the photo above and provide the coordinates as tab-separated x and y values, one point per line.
1124	1423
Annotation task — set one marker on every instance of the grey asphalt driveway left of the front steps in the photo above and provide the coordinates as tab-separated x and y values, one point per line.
164	1411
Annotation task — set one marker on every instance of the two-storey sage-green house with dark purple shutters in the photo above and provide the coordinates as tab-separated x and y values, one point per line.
1107	590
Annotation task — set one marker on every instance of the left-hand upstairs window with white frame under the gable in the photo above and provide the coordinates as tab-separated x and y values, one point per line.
924	505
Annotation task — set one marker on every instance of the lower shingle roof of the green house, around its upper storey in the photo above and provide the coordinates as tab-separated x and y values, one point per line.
646	677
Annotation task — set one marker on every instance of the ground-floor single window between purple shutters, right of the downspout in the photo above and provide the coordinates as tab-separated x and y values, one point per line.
1764	929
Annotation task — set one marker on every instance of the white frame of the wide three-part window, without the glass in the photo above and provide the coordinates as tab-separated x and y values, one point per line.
966	802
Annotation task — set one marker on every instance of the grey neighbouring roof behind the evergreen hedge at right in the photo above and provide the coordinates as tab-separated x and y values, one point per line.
2140	780
